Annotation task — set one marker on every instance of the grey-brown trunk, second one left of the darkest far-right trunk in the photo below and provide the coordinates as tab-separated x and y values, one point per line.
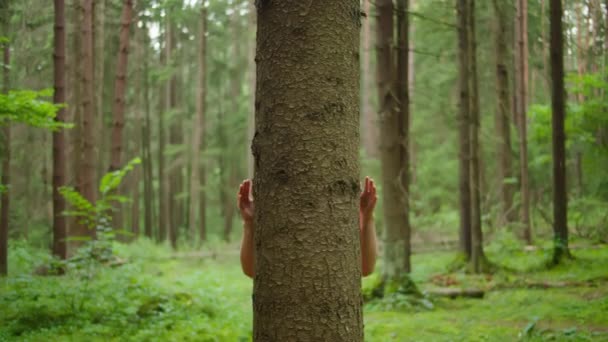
503	111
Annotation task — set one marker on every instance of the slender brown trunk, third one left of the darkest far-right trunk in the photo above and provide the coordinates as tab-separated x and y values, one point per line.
477	255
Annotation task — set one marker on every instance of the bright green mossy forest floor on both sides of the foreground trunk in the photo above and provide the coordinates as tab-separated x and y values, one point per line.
157	297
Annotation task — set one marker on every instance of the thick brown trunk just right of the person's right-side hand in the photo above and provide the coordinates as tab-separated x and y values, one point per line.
394	146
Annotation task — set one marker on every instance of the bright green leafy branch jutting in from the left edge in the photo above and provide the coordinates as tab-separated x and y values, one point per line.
28	107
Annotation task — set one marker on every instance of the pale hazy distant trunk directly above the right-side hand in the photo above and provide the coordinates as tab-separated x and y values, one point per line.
369	125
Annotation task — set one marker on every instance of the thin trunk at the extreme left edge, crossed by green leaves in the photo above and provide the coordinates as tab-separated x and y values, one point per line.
5	146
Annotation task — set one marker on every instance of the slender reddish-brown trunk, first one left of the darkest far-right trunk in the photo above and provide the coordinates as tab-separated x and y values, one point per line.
521	103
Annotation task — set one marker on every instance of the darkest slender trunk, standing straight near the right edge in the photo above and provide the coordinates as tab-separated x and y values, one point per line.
558	98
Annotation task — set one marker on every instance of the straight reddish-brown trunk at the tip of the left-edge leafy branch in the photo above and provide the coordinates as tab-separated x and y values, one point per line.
59	137
